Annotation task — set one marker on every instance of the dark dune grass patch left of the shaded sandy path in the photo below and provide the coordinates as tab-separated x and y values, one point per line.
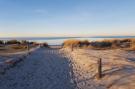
12	46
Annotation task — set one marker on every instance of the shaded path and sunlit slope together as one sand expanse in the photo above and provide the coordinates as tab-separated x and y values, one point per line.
62	69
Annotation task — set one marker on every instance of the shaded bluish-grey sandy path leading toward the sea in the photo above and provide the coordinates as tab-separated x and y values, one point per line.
43	69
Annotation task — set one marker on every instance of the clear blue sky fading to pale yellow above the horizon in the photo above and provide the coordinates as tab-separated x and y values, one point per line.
41	18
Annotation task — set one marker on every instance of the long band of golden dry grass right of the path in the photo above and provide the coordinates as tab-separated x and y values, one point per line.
103	44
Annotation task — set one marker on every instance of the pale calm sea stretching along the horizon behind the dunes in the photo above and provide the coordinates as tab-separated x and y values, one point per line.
60	40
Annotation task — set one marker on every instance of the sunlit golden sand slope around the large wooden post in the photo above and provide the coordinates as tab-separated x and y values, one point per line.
118	69
